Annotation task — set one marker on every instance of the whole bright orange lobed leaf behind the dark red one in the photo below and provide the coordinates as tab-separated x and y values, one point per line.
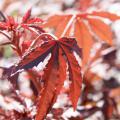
86	27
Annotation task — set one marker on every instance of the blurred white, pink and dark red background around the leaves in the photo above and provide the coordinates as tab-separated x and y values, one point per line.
100	99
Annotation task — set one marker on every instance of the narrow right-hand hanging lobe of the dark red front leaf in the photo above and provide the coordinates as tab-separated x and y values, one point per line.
74	76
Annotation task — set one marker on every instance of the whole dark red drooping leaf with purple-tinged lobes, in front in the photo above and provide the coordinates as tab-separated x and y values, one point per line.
62	53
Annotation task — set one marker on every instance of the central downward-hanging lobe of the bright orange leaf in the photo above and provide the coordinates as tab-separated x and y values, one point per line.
85	39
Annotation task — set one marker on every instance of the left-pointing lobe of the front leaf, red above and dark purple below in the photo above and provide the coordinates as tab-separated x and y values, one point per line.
36	55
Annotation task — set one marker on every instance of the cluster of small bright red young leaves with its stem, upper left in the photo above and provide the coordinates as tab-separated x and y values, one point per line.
11	29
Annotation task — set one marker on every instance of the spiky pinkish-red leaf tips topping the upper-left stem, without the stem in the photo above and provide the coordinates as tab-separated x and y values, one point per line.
27	22
